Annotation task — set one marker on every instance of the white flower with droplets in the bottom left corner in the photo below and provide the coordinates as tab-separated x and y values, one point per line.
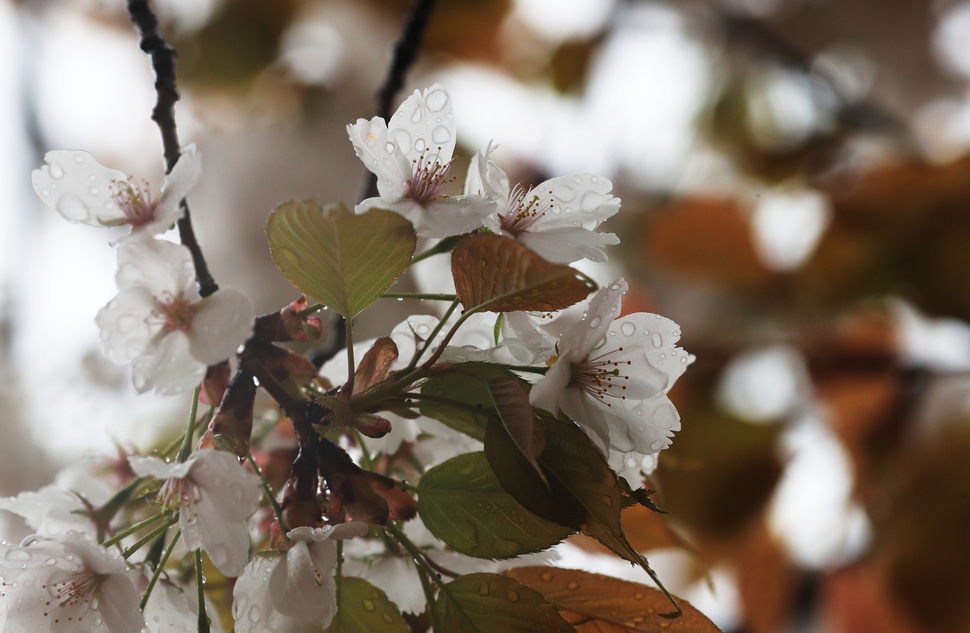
65	586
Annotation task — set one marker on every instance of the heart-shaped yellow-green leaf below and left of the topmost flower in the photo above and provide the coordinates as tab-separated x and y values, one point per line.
339	259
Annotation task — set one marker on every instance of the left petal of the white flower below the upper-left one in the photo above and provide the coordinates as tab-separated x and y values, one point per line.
123	323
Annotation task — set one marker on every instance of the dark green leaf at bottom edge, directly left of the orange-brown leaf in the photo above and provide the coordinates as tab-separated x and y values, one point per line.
488	603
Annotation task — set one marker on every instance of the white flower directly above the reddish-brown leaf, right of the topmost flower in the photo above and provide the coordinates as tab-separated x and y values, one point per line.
556	219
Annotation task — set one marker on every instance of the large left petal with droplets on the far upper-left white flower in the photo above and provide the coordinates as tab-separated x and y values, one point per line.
78	187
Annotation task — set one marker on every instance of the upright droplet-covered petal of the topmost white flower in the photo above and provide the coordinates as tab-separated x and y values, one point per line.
424	123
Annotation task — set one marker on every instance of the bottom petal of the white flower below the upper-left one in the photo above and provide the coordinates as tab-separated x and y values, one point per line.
169	368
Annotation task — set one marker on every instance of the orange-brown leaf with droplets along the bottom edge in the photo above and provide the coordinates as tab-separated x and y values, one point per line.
592	602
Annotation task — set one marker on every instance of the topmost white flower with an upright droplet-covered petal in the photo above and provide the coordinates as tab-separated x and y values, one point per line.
411	156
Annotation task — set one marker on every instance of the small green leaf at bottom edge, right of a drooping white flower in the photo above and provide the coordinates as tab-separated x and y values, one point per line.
363	608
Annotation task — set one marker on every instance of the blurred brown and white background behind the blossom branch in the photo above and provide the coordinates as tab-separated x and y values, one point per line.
796	195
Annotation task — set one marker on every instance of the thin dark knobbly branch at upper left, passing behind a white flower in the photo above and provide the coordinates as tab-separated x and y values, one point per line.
163	63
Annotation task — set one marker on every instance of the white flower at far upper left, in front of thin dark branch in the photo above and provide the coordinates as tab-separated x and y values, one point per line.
82	190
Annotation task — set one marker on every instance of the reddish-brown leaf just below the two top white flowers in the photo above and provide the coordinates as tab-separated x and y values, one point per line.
497	274
